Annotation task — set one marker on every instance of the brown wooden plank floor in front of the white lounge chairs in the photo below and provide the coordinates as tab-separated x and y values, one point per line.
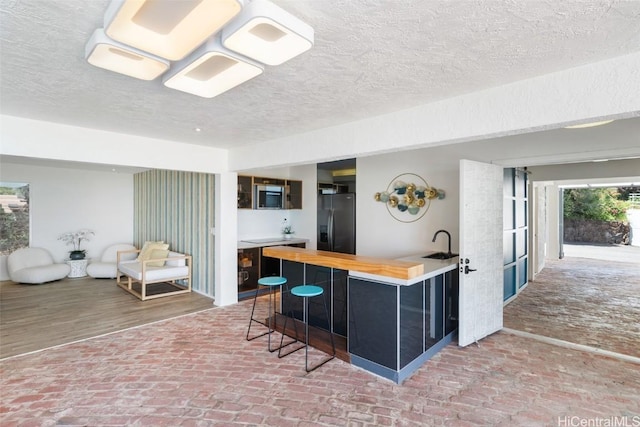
34	317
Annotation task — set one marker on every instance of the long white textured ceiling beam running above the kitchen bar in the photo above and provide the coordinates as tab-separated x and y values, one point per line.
597	91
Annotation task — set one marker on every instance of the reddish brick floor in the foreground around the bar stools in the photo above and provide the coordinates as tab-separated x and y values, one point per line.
198	370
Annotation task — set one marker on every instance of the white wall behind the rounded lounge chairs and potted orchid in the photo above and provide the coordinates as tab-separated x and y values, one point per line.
64	200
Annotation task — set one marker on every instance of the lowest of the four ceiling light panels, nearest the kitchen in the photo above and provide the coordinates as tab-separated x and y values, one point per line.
211	70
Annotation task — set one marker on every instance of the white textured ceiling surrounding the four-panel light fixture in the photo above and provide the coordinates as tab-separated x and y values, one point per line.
370	57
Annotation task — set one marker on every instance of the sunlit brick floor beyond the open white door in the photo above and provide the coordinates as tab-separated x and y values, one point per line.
584	301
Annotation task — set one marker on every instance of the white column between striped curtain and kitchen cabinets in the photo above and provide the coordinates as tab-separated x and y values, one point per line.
226	239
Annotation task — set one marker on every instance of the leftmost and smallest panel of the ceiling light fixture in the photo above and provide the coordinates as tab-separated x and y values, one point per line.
103	52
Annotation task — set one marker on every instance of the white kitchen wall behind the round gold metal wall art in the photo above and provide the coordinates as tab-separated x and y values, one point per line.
378	233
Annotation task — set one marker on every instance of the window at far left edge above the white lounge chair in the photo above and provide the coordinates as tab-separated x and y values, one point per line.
14	216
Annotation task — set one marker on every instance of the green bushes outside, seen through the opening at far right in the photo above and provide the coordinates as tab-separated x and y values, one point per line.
600	204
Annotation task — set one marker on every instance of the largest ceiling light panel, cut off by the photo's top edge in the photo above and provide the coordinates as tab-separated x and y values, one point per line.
167	28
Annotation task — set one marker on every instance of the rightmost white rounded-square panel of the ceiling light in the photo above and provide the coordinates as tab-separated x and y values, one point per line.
267	33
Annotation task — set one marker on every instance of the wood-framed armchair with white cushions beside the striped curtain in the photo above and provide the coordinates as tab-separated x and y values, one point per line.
173	270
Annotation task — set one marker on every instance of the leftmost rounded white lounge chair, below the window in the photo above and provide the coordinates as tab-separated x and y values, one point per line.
35	266
